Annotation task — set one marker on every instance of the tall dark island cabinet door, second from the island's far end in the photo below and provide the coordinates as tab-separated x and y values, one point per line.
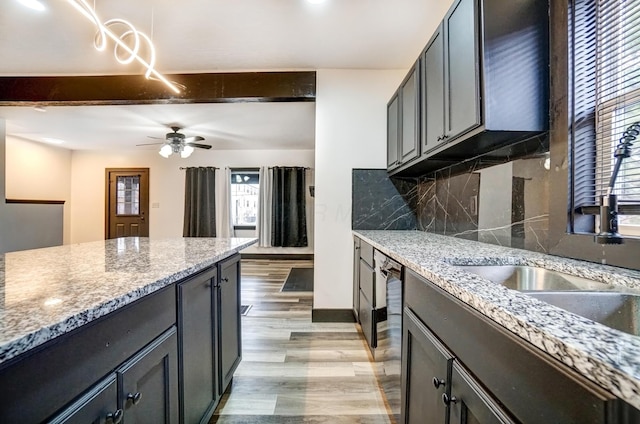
198	373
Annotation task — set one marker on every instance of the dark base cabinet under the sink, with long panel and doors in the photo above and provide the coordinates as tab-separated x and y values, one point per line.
495	376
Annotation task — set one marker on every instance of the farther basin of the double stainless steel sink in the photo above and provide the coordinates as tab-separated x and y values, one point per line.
526	278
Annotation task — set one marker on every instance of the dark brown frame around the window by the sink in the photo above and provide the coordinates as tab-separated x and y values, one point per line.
563	239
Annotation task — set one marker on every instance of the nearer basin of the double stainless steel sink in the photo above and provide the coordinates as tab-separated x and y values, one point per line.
615	310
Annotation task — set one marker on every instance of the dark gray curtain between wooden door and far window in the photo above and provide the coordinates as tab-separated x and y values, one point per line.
199	202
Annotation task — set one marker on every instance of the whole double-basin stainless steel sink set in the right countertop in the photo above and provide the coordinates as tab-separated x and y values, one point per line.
614	306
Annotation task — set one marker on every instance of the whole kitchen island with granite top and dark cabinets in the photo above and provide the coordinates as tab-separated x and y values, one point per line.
75	319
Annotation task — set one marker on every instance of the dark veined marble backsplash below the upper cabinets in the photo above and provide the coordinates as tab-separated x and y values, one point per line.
505	204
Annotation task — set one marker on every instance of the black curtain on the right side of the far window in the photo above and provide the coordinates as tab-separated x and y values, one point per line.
289	218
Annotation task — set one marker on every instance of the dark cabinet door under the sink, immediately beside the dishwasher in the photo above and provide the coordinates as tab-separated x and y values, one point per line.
425	374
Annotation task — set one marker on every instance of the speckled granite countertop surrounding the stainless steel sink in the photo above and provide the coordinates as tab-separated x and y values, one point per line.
605	356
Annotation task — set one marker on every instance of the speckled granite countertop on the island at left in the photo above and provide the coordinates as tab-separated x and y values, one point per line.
48	292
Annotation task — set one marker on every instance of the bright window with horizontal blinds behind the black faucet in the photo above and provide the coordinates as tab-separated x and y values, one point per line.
605	55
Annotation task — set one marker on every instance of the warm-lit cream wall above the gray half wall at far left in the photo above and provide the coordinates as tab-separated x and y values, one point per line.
38	171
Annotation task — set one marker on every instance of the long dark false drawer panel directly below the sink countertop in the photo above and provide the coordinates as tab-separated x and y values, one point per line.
533	386
